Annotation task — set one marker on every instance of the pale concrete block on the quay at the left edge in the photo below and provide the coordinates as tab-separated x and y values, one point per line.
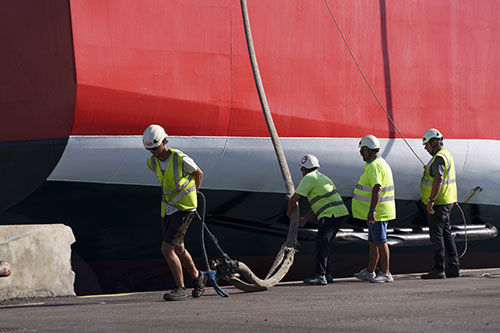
40	257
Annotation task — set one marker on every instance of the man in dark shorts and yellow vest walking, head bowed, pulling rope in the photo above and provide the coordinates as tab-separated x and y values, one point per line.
180	178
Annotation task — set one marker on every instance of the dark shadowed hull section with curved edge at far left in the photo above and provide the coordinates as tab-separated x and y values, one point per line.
37	93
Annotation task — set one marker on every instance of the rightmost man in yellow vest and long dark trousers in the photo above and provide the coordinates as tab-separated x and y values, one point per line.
438	190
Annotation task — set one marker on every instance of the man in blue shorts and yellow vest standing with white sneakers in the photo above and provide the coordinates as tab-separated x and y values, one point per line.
373	202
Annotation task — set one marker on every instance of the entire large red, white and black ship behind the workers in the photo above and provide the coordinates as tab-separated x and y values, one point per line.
82	79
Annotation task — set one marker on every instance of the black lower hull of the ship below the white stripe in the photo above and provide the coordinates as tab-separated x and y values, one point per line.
118	234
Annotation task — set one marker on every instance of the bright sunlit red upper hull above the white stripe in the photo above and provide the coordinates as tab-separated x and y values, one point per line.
185	64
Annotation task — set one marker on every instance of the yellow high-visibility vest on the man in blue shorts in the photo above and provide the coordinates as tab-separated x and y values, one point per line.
386	208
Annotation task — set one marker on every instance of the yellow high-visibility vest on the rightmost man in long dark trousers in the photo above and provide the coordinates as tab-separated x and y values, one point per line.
448	193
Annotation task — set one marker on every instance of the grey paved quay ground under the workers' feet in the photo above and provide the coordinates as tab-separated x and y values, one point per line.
409	304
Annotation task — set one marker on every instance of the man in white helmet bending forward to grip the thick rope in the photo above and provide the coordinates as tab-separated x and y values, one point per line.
327	206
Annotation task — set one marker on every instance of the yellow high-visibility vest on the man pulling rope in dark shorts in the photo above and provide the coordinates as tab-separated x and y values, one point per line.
179	189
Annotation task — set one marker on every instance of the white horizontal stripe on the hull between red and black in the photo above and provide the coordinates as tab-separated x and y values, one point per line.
249	164
